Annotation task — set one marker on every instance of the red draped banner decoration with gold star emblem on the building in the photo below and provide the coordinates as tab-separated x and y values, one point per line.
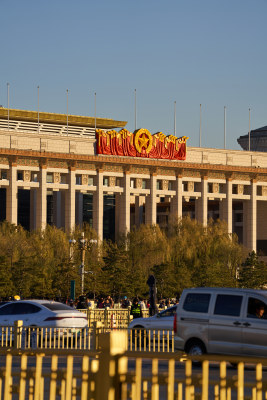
141	144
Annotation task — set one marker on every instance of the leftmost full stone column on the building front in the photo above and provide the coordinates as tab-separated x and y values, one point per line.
11	193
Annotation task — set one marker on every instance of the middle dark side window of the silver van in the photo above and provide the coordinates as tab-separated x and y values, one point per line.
228	304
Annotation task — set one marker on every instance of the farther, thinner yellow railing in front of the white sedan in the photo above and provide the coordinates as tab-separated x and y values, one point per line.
29	337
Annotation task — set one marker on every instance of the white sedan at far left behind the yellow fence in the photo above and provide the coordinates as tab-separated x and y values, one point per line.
42	313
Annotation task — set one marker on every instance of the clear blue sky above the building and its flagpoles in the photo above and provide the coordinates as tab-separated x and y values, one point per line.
189	51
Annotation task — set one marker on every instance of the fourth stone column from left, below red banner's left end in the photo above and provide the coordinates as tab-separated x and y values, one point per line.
98	204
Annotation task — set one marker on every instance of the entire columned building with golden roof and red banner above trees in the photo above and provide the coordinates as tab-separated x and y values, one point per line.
65	170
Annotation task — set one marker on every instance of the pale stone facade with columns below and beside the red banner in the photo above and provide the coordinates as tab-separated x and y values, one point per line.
223	184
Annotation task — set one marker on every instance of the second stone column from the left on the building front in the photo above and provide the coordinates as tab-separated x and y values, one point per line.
41	208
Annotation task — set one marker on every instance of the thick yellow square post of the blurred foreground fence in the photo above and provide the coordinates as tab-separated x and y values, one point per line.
112	364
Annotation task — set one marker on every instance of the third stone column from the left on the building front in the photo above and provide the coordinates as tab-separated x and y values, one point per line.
70	201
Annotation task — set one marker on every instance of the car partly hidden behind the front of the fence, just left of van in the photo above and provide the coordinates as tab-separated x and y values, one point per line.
160	321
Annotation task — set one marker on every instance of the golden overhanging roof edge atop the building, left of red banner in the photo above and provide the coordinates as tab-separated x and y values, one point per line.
54	118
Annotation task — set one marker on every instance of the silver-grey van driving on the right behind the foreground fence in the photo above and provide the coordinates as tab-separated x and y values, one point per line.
222	321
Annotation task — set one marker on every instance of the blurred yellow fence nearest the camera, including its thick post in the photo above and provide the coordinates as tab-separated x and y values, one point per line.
117	374
